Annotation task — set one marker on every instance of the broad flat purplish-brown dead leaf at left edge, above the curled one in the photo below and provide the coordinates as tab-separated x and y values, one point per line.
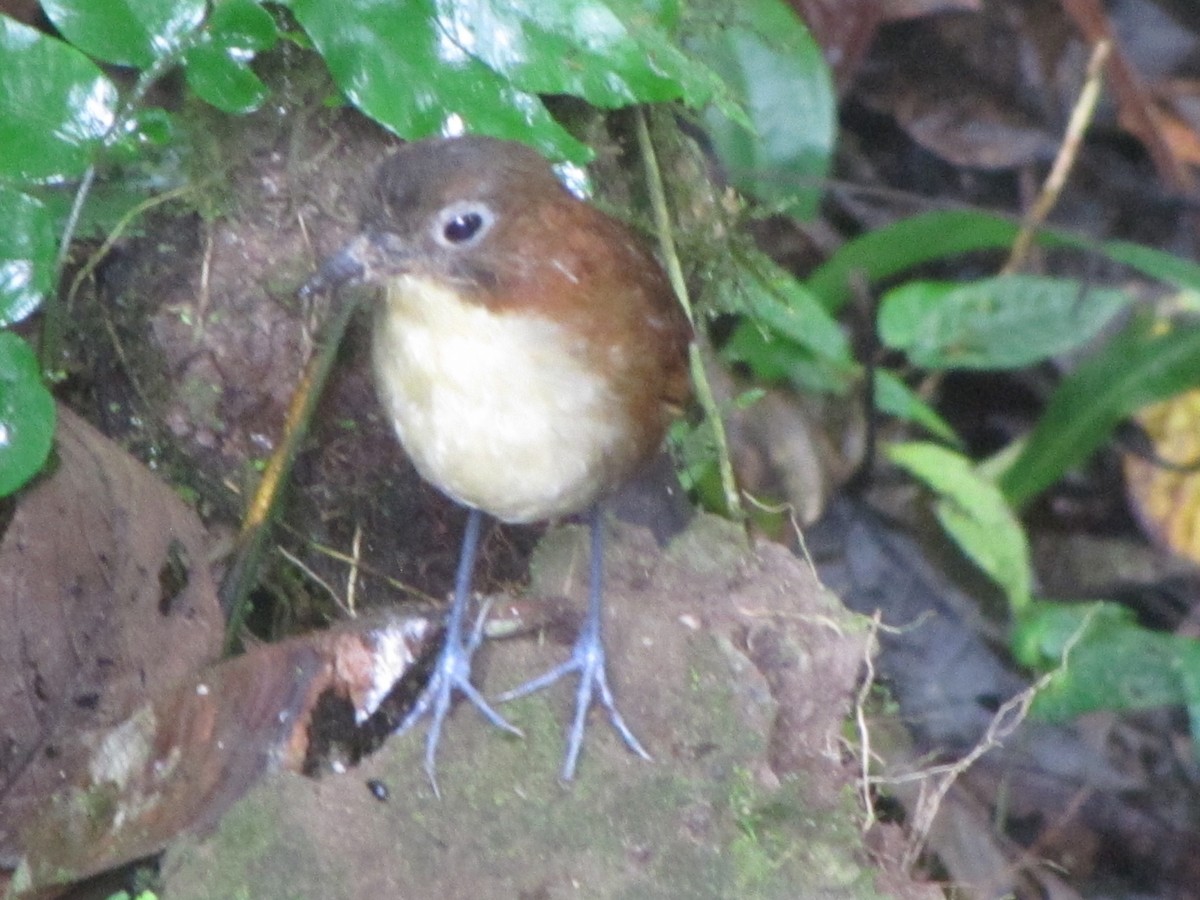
105	593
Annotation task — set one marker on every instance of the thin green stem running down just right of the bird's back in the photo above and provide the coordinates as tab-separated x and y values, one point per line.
675	273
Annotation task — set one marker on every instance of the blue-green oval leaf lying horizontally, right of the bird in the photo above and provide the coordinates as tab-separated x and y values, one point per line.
1007	322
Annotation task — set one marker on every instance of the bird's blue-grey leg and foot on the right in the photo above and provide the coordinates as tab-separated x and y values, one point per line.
589	659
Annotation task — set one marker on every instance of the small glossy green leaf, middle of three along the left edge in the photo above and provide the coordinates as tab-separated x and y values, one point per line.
27	255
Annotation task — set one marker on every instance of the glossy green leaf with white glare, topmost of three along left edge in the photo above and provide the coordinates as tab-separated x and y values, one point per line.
56	106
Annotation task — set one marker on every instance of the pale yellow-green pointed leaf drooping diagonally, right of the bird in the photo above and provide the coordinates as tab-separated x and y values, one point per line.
975	514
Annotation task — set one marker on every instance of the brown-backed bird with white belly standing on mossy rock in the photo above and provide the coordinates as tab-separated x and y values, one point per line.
531	355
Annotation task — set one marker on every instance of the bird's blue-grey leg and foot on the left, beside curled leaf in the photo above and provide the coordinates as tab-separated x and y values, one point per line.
453	669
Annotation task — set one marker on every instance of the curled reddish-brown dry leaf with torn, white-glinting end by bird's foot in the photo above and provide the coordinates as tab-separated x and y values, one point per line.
189	754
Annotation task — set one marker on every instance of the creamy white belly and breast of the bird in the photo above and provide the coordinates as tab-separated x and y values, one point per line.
496	410
